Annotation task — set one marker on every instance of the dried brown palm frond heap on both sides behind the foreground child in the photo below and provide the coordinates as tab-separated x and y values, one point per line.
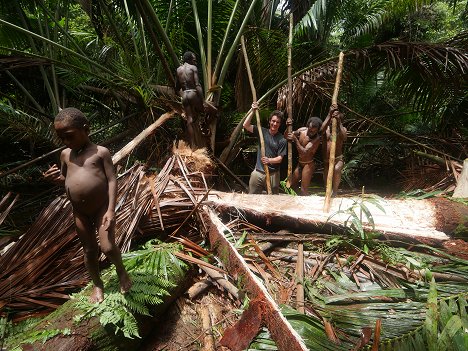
46	263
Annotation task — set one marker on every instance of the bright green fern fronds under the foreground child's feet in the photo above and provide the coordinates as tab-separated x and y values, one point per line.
154	270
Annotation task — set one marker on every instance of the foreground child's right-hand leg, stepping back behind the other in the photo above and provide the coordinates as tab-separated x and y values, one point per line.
112	252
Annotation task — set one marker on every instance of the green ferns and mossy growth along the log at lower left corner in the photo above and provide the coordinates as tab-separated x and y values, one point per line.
154	271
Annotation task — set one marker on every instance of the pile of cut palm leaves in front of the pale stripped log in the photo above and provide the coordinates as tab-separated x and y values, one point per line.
392	298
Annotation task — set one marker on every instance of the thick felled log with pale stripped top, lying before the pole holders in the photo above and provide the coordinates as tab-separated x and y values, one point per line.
430	221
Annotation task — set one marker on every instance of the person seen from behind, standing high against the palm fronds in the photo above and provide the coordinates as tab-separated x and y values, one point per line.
188	85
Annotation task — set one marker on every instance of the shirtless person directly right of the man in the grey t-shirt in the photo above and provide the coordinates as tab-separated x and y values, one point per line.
307	140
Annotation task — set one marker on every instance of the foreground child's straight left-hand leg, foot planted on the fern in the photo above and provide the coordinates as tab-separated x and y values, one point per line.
87	235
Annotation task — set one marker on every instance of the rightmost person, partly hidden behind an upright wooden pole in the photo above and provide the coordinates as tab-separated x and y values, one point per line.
341	135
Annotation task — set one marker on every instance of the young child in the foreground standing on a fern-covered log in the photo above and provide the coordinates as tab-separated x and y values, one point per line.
91	186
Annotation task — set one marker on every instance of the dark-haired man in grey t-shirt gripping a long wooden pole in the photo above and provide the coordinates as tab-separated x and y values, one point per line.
275	150
